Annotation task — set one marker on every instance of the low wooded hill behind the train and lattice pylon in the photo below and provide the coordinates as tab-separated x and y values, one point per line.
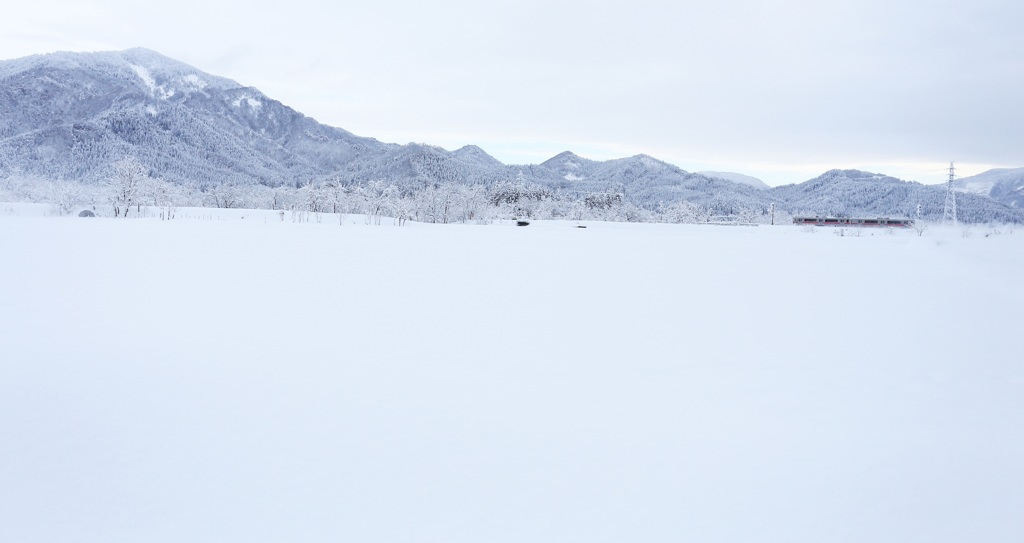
855	193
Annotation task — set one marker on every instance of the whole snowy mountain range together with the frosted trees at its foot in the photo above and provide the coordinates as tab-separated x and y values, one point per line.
201	139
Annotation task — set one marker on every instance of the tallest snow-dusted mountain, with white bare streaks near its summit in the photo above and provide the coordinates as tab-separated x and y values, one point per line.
71	115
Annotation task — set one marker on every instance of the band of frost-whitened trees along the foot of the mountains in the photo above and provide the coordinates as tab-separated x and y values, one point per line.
131	187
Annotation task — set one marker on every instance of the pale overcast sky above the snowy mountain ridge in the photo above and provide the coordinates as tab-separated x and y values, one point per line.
782	91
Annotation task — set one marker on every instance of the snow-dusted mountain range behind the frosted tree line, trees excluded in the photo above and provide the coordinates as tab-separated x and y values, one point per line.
70	116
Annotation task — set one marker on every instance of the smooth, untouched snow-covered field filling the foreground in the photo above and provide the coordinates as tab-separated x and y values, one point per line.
215	379
